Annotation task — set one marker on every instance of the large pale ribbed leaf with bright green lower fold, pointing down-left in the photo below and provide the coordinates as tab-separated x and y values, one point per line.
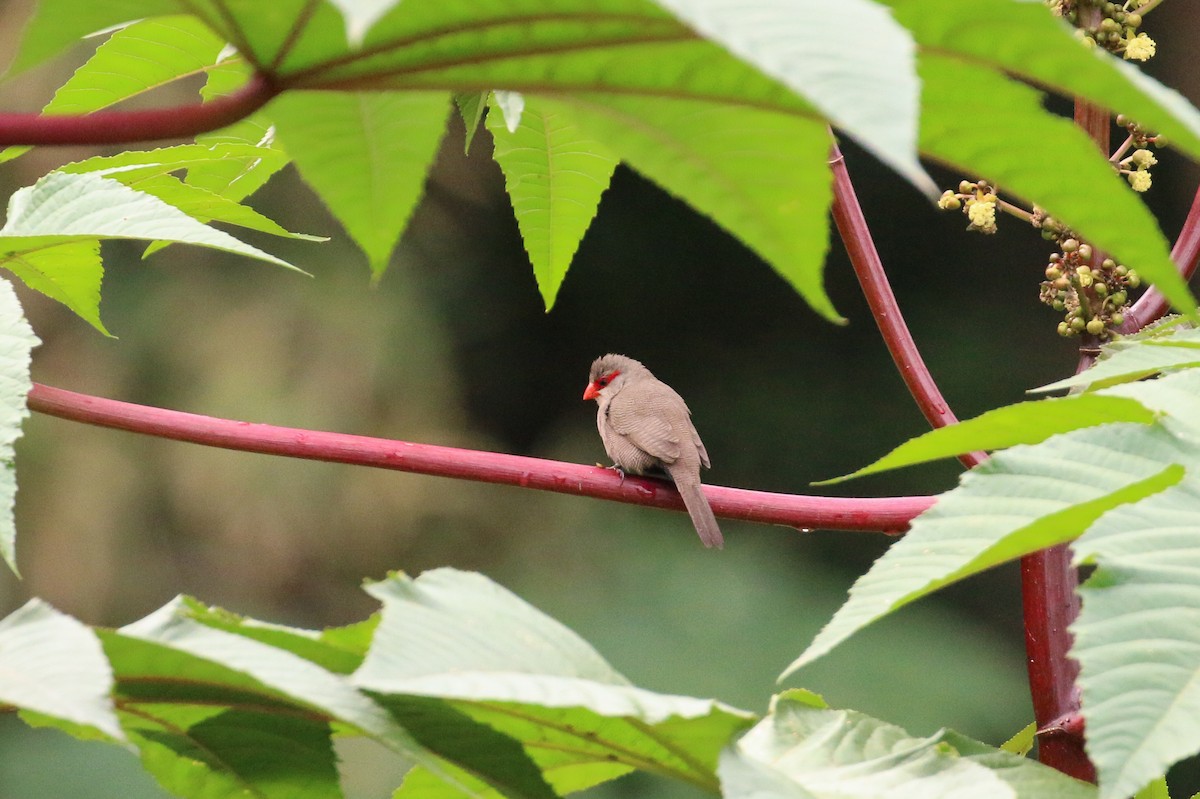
1025	500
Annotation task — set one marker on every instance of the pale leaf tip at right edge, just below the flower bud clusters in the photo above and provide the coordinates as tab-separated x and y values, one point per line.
1133	359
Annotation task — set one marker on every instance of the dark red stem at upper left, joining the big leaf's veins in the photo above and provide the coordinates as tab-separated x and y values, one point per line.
117	128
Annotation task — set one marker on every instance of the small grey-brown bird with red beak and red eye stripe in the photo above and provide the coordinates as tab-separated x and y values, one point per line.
646	426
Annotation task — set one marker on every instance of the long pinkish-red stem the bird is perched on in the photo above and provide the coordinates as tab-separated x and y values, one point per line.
890	515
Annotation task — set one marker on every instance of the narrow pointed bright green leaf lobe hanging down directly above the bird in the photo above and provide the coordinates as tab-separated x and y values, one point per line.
555	177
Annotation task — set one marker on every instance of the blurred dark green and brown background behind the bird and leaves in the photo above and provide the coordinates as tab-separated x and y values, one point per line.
453	347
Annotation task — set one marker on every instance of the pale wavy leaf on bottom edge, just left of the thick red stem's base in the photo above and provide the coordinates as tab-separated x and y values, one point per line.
803	752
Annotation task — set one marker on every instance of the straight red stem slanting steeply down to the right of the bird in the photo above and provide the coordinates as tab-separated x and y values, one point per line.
856	235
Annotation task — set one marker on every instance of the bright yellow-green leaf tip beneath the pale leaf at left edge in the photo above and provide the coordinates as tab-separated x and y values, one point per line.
69	273
